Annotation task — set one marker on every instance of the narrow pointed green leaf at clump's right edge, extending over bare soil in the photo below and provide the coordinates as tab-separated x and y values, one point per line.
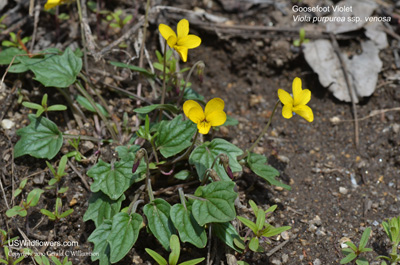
257	164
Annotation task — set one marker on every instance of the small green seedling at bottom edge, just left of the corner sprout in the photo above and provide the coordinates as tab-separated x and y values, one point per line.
353	252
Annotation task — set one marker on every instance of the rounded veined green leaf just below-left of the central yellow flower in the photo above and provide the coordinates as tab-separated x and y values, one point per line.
174	136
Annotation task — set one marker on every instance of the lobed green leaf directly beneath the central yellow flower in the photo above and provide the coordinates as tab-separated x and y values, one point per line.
203	157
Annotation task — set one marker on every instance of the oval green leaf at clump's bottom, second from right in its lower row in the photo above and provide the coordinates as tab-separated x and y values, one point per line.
189	230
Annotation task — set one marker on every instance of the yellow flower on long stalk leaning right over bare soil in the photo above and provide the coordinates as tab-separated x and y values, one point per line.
297	103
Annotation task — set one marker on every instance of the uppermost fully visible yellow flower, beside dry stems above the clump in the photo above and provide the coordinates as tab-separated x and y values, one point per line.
181	42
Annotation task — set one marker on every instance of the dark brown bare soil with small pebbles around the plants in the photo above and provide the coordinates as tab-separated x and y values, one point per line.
338	188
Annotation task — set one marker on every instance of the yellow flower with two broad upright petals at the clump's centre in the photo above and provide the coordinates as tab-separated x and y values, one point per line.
213	115
